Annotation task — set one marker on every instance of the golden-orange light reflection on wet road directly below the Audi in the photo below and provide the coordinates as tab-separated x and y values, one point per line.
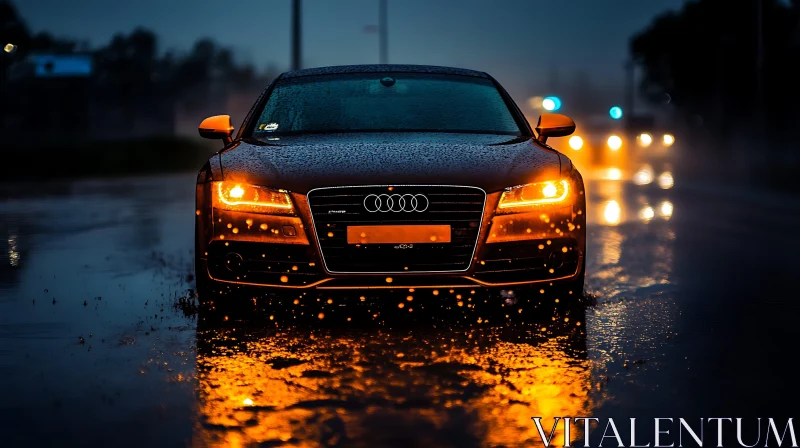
394	388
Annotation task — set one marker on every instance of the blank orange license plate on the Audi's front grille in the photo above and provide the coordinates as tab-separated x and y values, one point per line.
416	234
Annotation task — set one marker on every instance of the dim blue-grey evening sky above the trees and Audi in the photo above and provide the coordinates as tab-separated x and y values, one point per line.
525	44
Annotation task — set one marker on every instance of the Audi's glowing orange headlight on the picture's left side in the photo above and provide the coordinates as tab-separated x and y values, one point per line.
250	198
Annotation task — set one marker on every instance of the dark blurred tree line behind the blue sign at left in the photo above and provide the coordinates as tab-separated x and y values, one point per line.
130	72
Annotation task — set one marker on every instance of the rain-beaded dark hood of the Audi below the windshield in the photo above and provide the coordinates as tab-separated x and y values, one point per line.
302	163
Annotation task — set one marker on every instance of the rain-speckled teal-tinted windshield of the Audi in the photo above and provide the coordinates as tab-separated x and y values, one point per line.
385	102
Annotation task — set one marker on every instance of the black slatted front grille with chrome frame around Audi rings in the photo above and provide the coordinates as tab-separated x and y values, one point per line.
334	209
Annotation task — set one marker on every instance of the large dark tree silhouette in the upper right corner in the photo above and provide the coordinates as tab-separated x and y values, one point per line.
727	68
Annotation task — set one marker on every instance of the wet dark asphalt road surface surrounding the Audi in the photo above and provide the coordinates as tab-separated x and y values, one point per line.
695	315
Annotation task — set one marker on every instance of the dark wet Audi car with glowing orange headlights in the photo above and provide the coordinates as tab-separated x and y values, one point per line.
388	177
